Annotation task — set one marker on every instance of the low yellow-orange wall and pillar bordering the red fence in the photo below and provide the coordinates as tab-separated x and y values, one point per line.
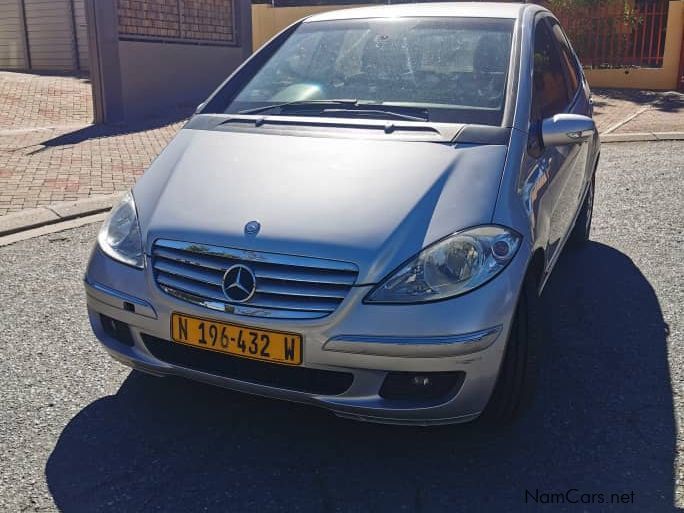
665	78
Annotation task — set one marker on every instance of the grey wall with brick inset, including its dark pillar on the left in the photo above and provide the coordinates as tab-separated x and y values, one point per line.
151	58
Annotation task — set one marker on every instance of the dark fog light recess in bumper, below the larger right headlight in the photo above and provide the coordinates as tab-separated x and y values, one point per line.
430	386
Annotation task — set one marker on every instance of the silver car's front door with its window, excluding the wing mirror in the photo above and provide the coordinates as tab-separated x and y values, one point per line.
563	167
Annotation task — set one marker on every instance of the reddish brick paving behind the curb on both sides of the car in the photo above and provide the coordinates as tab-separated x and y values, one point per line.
49	151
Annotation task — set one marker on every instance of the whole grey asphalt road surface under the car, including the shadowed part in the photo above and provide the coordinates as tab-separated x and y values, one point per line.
81	433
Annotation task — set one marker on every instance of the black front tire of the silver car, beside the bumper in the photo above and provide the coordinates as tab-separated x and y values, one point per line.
519	370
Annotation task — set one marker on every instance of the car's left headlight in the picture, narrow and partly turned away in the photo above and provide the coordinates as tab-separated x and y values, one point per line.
120	237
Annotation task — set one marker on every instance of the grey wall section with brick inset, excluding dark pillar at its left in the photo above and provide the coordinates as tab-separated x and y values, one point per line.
175	59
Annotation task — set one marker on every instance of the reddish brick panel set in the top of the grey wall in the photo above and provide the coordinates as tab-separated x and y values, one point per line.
196	20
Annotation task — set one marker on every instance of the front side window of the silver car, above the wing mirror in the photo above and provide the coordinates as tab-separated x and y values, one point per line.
550	92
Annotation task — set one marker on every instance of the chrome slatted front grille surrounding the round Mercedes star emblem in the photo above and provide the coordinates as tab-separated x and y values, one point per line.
287	287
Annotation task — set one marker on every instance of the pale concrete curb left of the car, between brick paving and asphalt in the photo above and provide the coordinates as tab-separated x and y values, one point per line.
57	213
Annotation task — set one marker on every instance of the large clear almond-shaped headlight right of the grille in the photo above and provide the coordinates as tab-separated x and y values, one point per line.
449	267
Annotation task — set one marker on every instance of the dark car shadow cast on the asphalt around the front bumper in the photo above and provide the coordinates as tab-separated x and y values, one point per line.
602	423
